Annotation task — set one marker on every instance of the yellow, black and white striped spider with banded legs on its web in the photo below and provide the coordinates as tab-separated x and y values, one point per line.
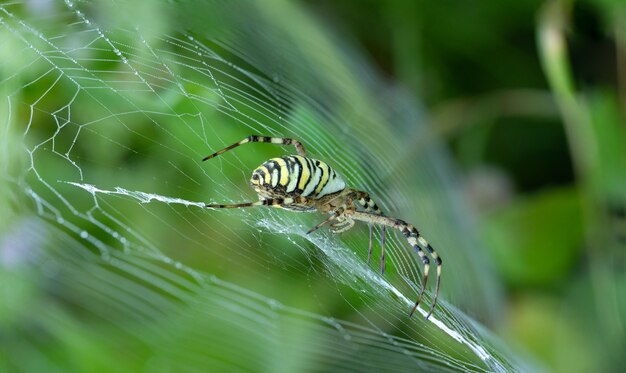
299	183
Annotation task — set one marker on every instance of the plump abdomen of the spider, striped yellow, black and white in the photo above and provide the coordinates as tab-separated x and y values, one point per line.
295	175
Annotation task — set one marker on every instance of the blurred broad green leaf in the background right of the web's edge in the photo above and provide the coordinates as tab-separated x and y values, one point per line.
536	240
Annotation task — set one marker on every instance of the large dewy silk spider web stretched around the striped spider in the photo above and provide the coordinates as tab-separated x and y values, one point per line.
108	115
